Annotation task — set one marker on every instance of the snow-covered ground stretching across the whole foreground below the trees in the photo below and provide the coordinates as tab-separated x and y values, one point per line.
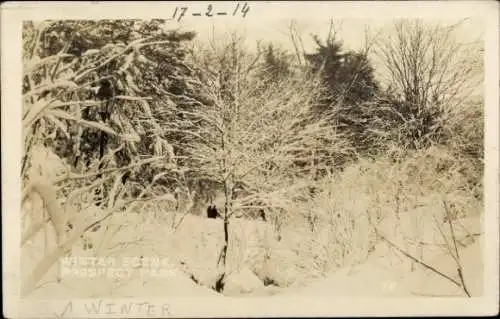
255	255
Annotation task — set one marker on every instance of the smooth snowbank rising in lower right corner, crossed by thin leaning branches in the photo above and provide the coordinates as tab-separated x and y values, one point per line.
377	278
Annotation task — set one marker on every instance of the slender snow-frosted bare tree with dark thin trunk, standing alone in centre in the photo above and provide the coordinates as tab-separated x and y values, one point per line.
260	146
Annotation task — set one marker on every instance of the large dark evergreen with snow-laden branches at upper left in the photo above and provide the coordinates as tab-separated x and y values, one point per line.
145	65
